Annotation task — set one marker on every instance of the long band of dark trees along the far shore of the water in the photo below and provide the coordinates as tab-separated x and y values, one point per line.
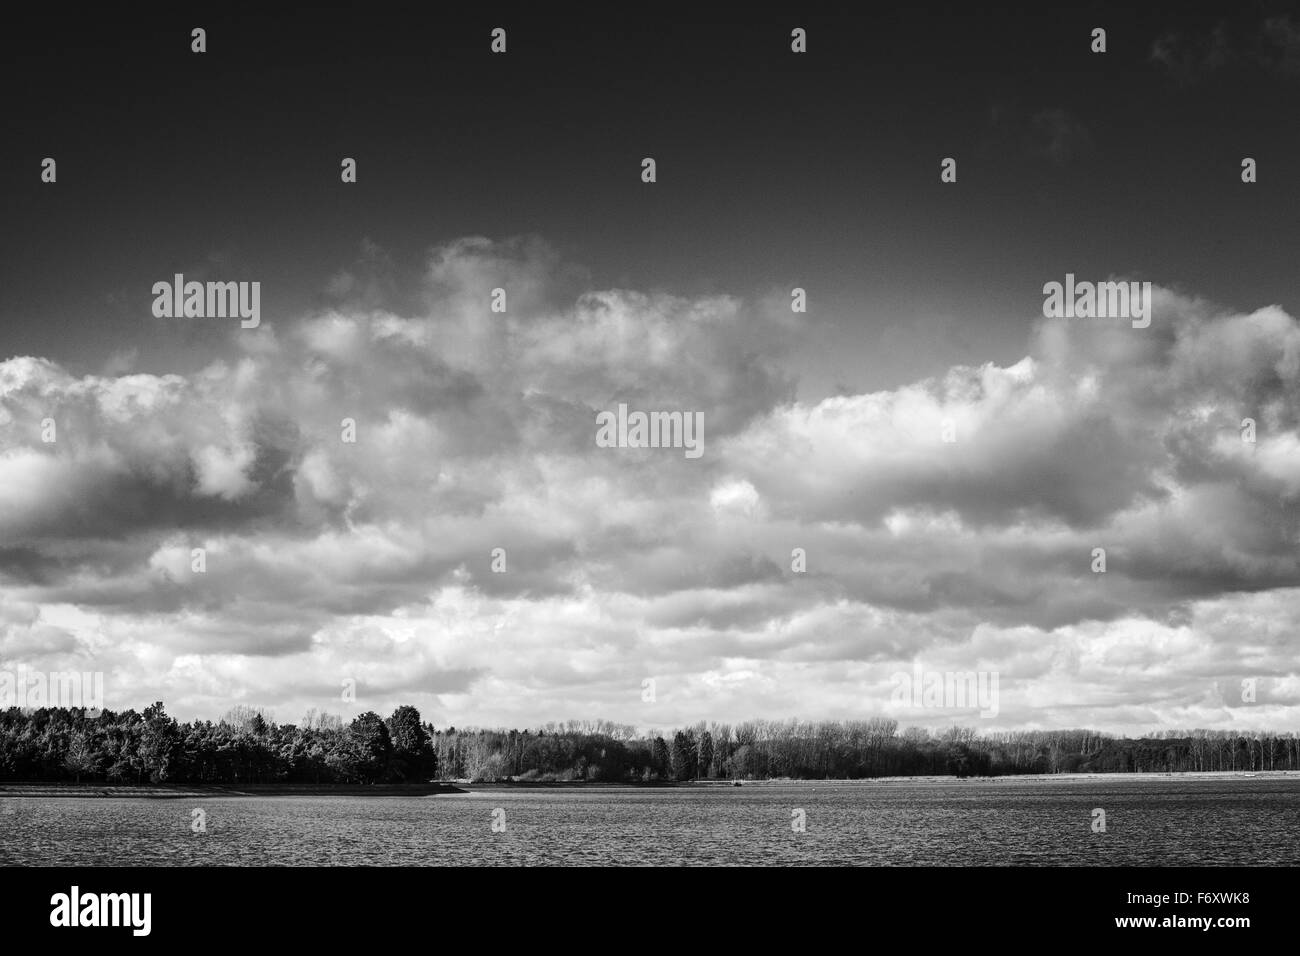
246	747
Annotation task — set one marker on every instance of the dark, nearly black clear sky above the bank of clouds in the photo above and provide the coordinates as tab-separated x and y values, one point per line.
774	170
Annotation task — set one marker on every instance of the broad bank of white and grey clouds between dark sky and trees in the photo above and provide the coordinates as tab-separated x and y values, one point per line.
372	560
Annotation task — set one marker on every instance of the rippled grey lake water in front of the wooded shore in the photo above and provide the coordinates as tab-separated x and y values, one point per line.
1042	821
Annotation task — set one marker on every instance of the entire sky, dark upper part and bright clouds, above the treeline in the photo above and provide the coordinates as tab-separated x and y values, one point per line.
331	561
